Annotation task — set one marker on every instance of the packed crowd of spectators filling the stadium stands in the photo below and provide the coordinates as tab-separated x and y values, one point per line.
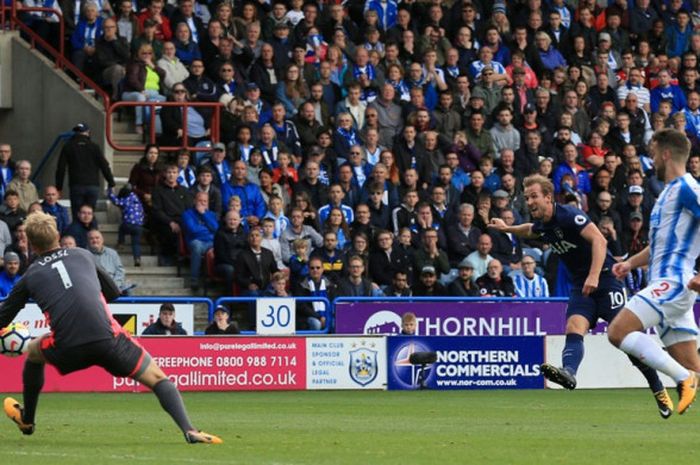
365	145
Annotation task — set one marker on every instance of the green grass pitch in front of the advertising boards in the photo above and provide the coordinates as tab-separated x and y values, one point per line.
376	428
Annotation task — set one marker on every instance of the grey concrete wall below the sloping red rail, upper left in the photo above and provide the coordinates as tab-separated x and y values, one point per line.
44	103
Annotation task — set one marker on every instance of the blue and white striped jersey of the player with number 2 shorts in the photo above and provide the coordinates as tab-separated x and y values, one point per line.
674	229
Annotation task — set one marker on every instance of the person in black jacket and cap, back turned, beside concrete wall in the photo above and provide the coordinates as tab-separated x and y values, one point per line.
84	161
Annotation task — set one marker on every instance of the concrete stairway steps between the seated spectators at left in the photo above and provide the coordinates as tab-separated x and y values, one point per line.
150	279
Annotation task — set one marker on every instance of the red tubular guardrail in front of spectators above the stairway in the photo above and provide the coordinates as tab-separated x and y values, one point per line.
214	126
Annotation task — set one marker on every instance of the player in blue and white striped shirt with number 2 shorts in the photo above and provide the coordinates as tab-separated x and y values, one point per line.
667	302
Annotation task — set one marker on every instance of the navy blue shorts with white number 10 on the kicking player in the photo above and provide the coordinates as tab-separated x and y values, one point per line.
604	303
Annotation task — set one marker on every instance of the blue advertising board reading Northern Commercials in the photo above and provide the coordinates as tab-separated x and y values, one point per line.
467	362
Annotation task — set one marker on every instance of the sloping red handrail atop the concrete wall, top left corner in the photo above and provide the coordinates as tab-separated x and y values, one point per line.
61	61
